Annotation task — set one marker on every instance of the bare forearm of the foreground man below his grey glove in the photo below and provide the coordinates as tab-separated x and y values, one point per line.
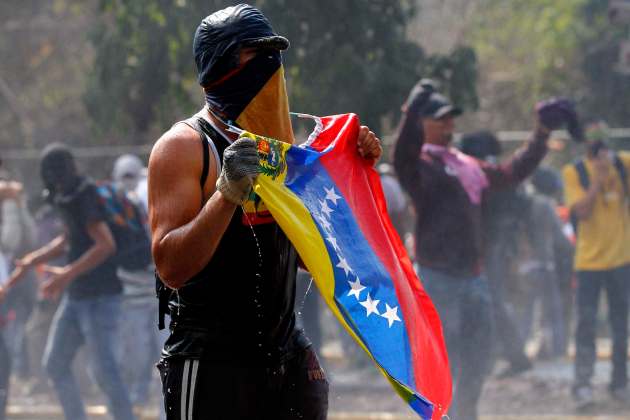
185	251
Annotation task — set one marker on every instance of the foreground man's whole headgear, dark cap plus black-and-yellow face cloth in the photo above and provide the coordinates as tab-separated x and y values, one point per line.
251	96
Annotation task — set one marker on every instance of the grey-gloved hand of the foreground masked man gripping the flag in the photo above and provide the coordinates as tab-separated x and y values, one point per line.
240	169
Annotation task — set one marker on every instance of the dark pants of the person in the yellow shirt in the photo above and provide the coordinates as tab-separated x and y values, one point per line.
590	283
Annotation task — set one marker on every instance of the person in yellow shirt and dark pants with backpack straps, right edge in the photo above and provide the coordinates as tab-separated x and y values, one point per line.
596	189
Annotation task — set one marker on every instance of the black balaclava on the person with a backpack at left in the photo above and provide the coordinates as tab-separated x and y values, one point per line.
58	170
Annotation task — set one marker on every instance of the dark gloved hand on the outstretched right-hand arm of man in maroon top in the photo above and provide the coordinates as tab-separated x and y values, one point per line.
556	113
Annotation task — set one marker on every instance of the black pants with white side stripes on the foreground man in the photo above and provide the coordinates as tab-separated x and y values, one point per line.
203	390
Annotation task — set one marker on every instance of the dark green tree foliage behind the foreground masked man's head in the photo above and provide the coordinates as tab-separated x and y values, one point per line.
350	56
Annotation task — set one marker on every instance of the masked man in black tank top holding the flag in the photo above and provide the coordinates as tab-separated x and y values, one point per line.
227	270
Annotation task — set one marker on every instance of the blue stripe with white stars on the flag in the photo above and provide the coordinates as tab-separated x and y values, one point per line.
364	291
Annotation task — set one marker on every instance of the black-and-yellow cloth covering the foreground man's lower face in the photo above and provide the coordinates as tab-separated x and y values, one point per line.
254	97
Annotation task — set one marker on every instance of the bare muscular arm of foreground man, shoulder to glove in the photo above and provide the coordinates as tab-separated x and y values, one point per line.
185	232
